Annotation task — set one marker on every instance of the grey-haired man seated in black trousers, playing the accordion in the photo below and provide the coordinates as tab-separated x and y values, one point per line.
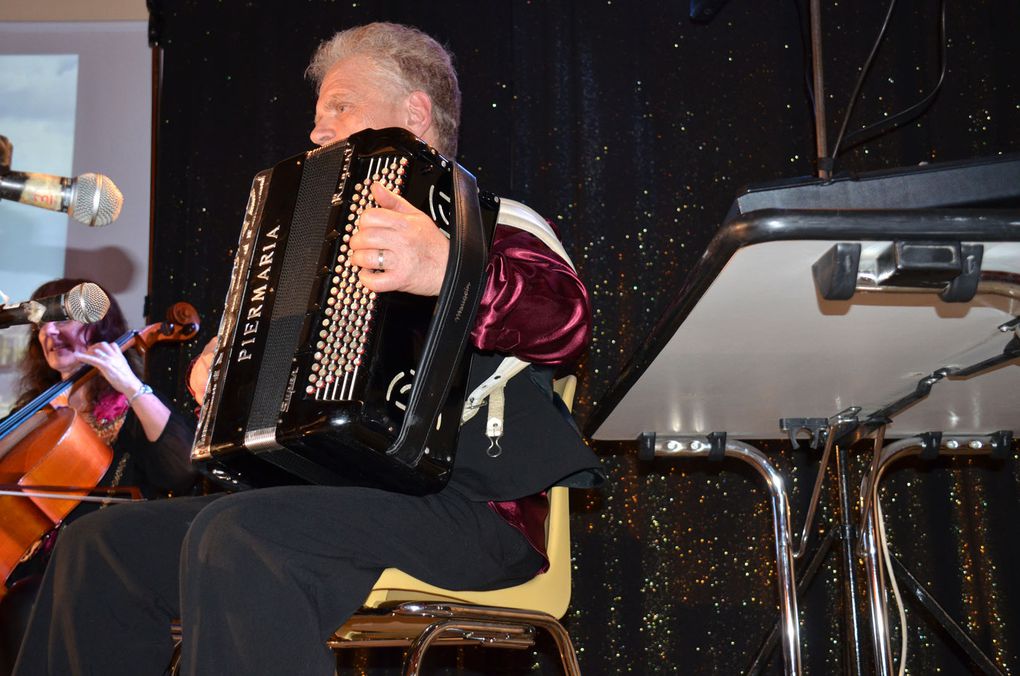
278	570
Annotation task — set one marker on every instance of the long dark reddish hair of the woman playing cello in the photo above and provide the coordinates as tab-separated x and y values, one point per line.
37	375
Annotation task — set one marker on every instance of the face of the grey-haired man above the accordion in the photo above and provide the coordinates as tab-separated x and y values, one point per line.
354	97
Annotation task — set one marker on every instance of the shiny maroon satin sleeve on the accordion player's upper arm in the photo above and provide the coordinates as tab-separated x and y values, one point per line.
534	306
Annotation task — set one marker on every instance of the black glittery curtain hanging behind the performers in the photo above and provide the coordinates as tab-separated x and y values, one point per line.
633	129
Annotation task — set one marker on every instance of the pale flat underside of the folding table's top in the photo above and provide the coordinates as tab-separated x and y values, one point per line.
750	339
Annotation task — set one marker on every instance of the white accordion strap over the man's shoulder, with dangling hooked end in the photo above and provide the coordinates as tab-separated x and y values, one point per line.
514	215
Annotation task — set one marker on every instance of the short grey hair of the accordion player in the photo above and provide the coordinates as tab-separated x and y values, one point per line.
416	63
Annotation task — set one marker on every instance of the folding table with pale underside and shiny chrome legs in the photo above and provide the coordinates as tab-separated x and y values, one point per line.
846	324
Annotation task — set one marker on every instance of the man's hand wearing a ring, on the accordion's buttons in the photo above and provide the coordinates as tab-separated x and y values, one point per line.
412	248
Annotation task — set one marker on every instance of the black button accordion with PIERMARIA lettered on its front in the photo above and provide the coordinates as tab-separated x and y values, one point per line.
315	379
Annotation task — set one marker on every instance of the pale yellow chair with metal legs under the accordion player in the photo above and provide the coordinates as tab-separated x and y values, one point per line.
402	611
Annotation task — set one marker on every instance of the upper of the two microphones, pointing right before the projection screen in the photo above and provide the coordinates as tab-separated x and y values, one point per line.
91	199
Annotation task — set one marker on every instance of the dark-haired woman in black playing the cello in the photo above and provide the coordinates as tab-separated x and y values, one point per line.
151	445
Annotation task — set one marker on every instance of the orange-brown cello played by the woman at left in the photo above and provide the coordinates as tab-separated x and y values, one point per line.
52	460
